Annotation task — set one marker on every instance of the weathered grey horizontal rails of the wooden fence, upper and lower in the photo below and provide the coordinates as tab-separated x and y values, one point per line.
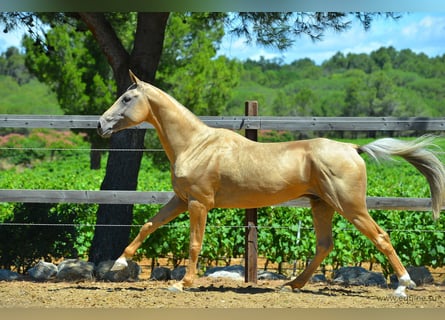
420	124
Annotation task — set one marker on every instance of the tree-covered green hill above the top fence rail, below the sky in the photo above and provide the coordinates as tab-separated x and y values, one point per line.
385	82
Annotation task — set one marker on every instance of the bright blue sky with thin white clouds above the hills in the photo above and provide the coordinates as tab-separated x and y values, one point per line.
420	32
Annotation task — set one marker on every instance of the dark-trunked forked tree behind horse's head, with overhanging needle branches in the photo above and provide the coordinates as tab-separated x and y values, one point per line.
275	29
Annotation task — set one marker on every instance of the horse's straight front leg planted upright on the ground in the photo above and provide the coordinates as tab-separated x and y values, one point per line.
198	218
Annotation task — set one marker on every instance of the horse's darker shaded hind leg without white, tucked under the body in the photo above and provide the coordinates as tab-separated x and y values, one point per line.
322	214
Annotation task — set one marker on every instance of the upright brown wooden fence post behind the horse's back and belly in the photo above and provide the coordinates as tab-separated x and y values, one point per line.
251	236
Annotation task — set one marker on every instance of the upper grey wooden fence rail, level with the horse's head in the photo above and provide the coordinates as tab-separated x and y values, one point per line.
246	122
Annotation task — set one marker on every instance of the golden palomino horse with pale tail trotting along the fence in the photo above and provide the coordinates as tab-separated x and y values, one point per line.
213	167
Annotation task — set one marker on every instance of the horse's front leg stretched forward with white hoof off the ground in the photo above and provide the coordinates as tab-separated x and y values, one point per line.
167	213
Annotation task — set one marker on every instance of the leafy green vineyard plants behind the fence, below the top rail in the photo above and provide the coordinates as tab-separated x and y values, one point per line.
417	239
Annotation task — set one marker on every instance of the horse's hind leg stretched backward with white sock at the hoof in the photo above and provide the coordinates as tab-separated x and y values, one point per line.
367	226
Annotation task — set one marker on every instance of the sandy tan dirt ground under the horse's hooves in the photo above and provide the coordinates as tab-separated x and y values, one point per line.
208	293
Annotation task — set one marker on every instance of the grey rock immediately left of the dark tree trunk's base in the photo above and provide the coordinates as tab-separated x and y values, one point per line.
75	270
